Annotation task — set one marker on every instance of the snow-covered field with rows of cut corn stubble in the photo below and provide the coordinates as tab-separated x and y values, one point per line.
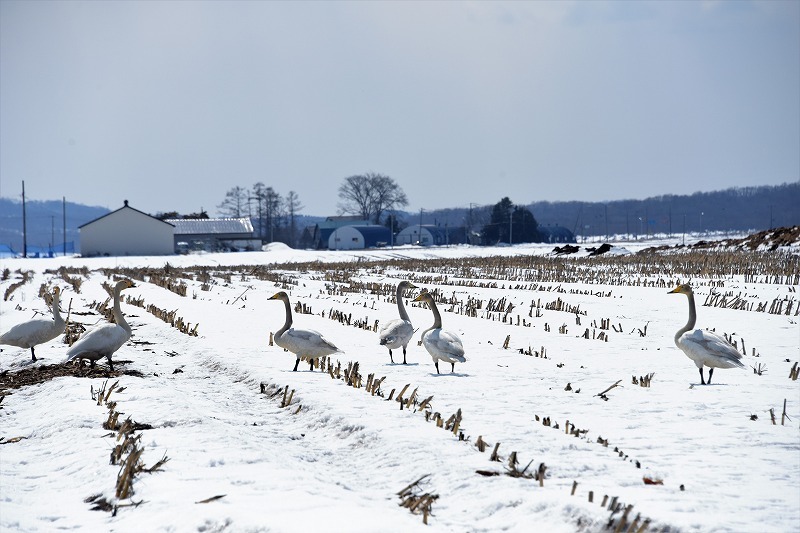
337	456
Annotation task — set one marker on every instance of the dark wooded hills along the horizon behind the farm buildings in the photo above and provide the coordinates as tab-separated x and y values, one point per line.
735	209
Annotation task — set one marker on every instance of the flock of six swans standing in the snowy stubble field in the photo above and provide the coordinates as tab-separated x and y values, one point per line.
705	348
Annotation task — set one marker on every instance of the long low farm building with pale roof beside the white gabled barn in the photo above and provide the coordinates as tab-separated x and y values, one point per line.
213	234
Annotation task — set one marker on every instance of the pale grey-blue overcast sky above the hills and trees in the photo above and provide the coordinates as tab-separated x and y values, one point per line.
171	104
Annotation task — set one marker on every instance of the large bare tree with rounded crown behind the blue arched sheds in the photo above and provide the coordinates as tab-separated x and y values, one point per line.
369	195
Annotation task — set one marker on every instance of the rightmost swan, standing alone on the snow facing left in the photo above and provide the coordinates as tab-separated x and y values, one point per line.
703	347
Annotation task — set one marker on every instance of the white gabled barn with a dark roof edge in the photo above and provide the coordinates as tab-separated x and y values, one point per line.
126	231
